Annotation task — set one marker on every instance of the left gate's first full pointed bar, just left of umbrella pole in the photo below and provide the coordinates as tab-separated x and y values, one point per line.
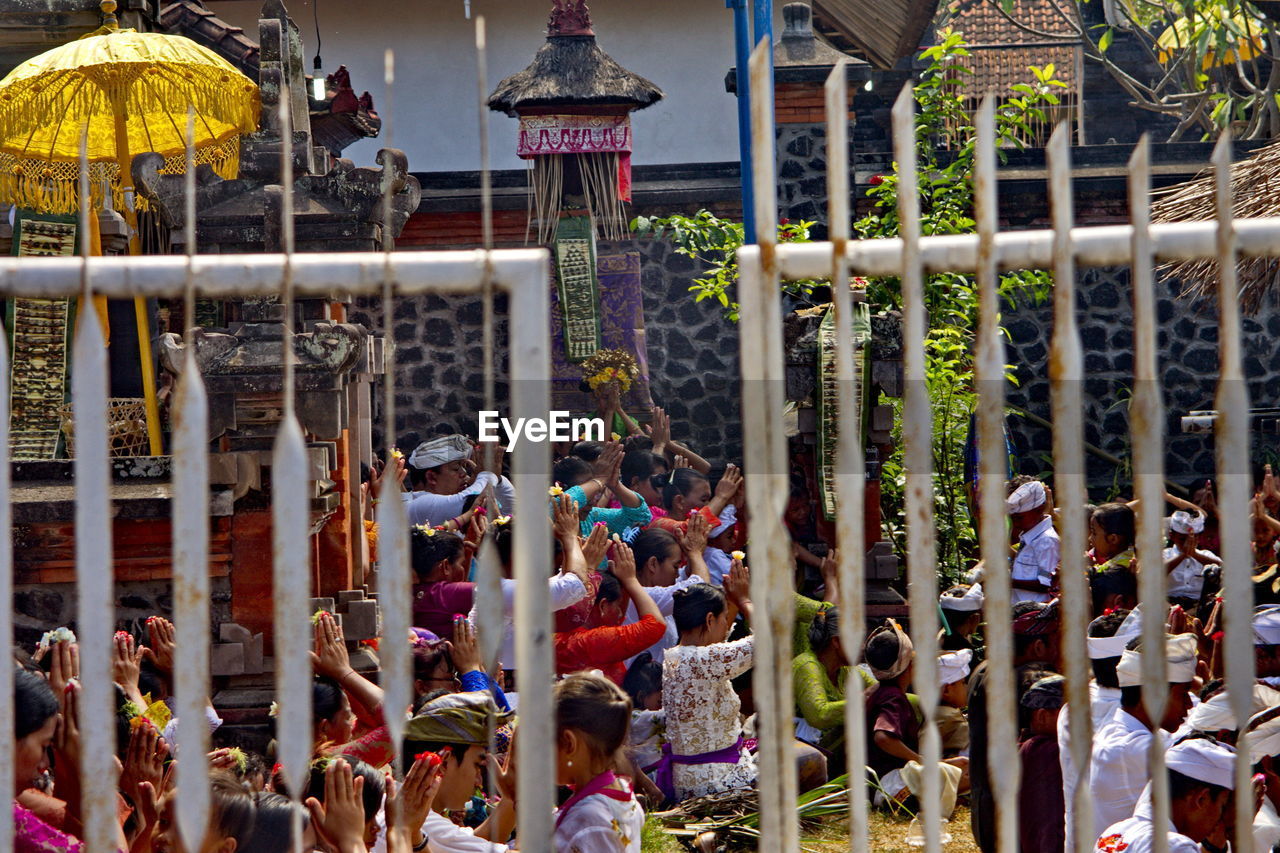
95	590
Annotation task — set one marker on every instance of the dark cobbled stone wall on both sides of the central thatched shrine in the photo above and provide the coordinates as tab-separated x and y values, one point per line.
693	358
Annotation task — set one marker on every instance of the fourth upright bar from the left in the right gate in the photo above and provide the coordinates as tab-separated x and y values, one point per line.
1002	761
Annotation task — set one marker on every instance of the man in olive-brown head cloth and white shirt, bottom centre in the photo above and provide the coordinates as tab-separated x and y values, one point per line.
456	728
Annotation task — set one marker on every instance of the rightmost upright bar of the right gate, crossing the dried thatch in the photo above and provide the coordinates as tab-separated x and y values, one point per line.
1232	448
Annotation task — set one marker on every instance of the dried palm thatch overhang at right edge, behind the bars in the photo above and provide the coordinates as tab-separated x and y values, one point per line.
1255	190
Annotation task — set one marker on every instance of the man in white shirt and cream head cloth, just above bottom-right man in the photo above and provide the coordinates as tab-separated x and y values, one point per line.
1121	747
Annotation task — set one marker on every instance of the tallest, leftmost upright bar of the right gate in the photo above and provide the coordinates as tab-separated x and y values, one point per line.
772	583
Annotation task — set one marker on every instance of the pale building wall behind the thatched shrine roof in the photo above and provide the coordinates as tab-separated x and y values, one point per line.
685	47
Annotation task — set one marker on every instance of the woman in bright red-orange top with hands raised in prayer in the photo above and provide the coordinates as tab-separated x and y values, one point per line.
606	644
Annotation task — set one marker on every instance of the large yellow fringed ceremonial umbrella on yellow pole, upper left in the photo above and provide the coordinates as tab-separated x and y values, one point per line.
131	93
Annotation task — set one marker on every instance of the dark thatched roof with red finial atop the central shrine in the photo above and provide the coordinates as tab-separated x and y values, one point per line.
572	70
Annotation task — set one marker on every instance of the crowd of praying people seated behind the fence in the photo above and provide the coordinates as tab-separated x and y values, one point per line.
653	653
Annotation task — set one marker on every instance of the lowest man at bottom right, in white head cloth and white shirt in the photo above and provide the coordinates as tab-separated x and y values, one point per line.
1201	784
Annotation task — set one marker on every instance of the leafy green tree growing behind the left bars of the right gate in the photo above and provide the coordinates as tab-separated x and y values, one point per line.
945	154
